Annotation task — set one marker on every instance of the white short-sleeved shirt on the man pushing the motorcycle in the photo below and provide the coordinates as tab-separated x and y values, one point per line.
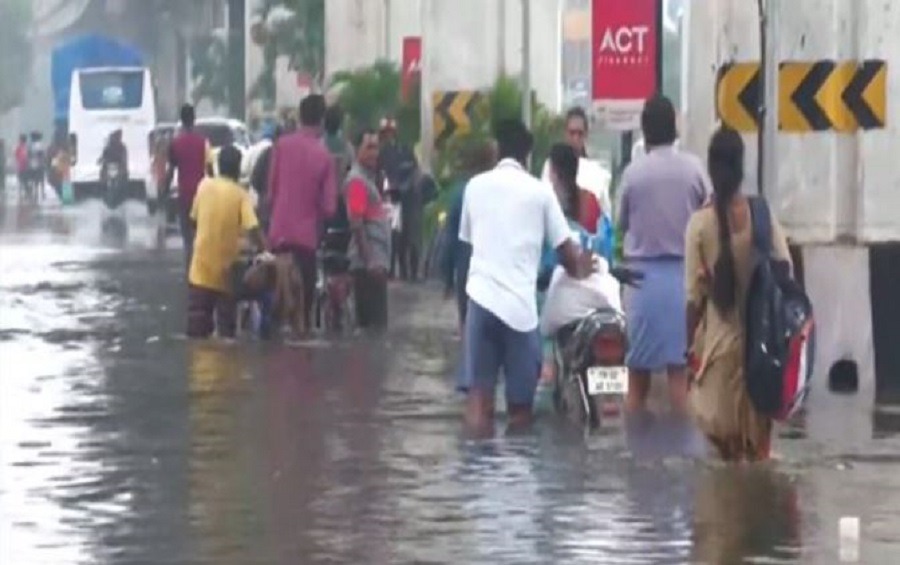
507	216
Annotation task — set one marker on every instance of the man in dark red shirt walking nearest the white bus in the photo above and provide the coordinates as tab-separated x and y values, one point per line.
188	154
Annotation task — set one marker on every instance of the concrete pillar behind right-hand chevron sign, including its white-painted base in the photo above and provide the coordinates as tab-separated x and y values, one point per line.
830	187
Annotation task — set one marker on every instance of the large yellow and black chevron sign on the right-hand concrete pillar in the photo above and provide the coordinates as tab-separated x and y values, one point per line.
841	96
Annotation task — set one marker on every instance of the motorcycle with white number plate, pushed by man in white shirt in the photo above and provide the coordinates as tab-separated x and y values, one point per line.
590	360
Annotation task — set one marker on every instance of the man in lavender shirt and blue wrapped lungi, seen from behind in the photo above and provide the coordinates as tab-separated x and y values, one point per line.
658	194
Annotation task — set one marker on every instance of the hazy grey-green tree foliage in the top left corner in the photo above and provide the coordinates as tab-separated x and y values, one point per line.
15	52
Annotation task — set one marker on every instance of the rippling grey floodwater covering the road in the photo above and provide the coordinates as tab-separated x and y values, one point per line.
121	442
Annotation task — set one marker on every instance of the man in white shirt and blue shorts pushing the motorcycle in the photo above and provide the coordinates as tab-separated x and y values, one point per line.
507	216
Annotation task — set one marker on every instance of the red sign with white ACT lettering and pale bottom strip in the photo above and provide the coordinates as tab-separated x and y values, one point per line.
624	37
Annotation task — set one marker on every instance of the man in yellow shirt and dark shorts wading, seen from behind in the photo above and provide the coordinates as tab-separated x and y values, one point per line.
222	211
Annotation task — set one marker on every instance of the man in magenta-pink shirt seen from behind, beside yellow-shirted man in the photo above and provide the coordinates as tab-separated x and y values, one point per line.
302	193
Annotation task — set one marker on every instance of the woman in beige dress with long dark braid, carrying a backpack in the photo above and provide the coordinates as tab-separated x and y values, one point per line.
717	271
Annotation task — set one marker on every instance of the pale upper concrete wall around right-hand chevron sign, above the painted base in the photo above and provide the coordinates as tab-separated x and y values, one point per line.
829	186
